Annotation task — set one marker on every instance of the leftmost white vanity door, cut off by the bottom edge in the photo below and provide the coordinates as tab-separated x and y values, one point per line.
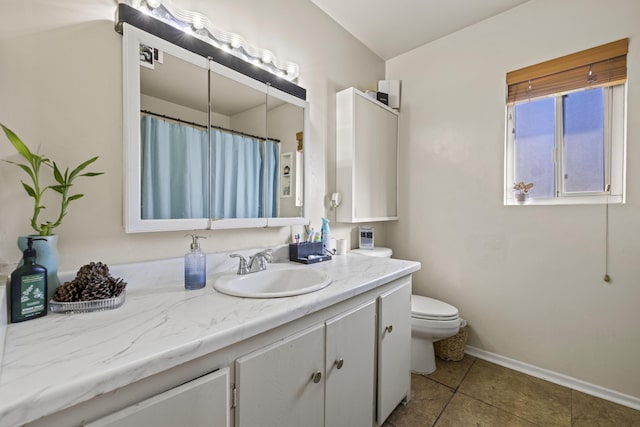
201	402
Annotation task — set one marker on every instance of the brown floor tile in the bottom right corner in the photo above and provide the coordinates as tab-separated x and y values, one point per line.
589	411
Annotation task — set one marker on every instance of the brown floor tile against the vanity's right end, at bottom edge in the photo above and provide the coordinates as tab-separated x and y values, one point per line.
428	399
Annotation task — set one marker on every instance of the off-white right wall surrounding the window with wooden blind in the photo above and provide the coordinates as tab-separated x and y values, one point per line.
529	279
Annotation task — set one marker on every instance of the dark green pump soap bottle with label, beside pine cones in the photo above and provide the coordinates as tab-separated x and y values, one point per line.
28	291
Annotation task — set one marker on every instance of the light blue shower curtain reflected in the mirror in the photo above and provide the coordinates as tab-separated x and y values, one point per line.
175	170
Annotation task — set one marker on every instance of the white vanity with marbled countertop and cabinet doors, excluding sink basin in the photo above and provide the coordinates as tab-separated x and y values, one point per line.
337	356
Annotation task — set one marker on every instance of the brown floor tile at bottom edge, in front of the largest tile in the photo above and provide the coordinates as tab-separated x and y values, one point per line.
467	411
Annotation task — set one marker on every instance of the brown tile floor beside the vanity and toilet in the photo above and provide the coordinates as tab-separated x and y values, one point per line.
474	392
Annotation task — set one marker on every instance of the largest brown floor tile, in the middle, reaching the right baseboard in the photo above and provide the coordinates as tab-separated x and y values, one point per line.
530	398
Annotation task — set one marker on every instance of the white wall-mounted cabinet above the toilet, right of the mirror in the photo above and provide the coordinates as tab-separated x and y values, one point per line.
366	158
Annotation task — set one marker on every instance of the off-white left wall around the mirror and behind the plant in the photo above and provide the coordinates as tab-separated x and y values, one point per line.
61	86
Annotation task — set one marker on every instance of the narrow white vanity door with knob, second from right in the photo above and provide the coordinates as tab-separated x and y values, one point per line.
350	342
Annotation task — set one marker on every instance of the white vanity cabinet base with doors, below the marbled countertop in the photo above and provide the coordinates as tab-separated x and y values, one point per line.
347	364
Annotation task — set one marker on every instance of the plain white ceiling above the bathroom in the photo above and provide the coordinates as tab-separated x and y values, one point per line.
392	27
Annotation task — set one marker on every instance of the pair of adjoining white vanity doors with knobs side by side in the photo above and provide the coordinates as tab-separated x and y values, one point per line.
322	376
